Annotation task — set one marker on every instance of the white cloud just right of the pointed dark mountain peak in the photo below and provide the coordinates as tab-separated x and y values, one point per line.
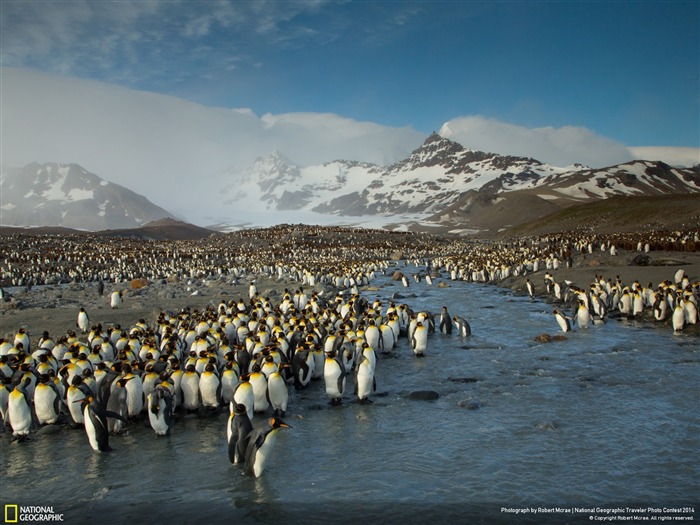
558	146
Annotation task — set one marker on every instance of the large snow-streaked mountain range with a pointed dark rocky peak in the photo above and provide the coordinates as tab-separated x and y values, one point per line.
441	179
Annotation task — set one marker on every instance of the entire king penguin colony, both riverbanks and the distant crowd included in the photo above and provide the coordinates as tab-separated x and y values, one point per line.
243	356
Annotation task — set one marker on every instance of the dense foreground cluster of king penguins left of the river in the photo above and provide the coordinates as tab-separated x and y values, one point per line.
242	356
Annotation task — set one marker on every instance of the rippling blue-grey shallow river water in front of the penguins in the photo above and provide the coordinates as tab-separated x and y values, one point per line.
606	418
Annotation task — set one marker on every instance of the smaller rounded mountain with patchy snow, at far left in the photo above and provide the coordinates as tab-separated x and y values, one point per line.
69	196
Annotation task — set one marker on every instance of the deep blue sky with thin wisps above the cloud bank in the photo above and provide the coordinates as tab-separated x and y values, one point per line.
625	70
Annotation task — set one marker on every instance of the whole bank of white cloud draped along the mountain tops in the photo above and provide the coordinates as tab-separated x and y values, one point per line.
179	153
